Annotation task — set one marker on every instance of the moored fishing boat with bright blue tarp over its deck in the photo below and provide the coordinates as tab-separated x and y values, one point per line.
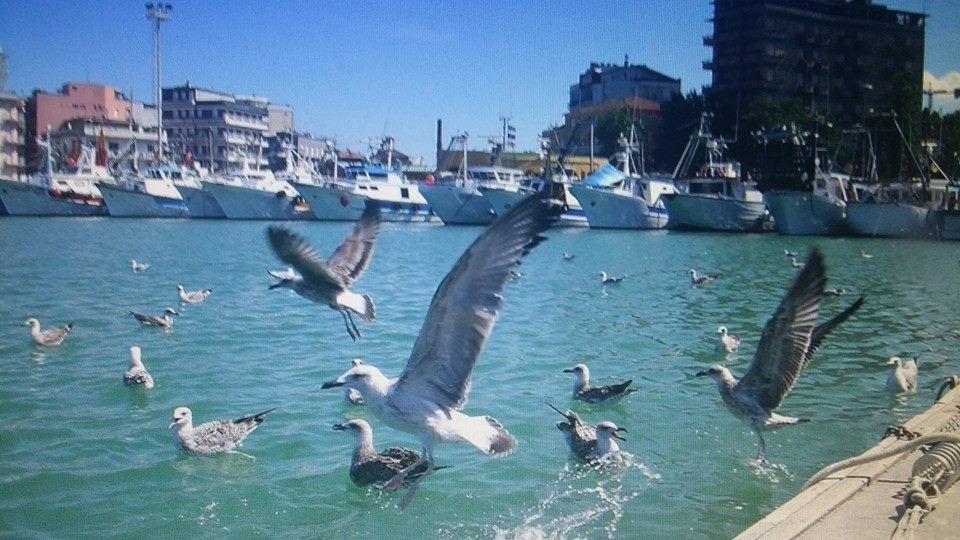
620	195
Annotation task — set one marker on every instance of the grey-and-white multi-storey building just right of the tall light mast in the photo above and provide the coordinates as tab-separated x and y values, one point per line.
218	128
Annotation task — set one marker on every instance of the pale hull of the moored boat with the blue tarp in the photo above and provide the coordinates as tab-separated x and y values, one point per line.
607	209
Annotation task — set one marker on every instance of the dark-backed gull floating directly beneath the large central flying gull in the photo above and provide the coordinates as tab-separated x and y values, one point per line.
371	467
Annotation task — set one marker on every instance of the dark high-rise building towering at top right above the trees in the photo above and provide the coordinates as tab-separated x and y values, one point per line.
845	57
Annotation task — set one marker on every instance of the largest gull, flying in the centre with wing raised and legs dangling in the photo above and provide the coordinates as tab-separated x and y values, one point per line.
427	398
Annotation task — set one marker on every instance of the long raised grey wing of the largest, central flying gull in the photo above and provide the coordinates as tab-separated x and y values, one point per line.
467	302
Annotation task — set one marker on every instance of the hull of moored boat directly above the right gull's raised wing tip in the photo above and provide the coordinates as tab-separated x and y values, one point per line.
802	213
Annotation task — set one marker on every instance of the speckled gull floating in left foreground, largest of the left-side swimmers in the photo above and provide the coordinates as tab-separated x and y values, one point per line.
213	437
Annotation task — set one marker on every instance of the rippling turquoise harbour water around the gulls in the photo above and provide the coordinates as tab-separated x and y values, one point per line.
80	454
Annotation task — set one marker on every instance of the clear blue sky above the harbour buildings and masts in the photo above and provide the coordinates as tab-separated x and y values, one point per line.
357	69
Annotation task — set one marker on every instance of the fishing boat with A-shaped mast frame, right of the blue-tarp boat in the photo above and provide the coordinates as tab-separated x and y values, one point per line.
714	197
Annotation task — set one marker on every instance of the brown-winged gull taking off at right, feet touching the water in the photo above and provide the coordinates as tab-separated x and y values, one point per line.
787	345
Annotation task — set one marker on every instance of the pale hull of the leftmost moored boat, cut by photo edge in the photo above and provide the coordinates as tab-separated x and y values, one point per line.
25	199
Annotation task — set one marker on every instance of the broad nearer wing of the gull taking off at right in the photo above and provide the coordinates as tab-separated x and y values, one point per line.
782	352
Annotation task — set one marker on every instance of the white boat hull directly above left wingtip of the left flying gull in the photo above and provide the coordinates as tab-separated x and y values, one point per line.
247	203
